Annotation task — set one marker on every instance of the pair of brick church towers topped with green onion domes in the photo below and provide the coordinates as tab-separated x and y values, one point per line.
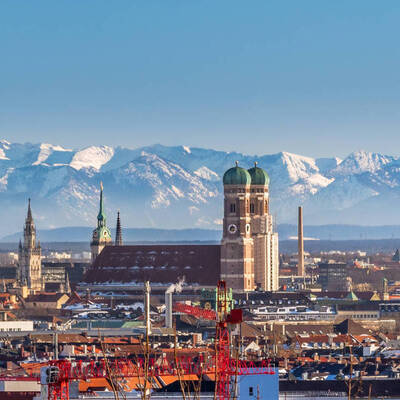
249	246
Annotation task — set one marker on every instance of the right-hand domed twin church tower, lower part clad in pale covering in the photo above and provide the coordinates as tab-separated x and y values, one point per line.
266	246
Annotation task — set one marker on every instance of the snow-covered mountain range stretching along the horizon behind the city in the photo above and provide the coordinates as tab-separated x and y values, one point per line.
181	187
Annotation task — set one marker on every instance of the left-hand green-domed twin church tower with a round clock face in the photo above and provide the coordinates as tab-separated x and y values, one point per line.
237	259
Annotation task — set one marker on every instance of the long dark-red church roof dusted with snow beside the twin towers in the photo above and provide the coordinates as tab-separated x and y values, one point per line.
157	263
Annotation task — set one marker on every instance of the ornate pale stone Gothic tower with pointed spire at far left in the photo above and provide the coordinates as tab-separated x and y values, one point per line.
30	256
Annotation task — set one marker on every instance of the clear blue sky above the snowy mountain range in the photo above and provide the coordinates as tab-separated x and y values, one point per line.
318	78
